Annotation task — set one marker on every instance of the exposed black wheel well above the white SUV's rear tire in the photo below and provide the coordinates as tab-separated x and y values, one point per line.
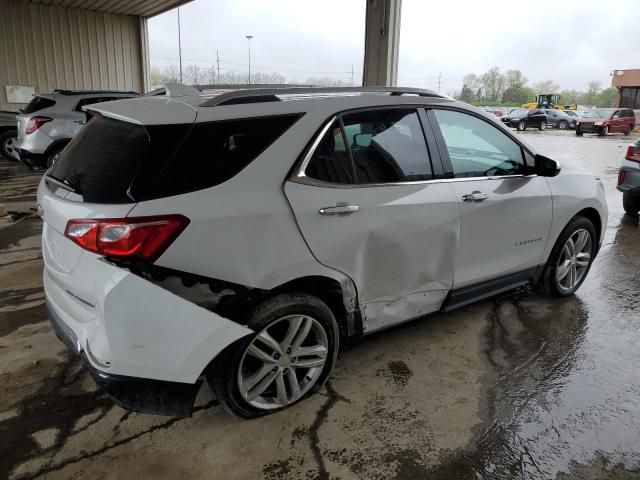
329	291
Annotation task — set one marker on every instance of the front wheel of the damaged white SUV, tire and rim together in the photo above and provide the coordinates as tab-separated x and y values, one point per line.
553	282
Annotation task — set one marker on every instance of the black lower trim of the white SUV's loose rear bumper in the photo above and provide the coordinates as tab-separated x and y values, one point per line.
137	394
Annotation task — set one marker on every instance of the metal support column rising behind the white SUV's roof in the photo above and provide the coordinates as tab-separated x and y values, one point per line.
382	42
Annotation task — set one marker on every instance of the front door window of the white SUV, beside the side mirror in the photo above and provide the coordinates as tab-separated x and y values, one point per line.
476	148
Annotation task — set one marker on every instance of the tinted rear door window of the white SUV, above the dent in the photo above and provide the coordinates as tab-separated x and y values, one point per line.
387	146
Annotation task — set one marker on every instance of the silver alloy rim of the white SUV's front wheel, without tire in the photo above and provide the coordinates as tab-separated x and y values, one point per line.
574	260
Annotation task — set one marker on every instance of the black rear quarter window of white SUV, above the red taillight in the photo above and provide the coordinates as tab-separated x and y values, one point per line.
214	152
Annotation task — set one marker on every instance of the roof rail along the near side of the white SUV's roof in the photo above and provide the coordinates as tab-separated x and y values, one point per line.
271	94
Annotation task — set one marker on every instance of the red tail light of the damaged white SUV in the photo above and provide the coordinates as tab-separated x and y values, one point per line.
144	238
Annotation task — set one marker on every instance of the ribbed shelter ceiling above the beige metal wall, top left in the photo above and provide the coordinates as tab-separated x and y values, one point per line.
142	8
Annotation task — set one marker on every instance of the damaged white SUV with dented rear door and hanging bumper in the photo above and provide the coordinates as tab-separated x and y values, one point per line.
243	238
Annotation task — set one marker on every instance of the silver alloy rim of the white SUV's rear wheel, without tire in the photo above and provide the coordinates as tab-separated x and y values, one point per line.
283	362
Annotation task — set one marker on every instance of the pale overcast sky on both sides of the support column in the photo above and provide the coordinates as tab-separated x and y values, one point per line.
567	41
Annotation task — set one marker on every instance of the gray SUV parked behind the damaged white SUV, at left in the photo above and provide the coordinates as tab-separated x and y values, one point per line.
51	120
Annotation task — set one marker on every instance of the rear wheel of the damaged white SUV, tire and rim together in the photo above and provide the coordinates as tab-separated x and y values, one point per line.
276	316
